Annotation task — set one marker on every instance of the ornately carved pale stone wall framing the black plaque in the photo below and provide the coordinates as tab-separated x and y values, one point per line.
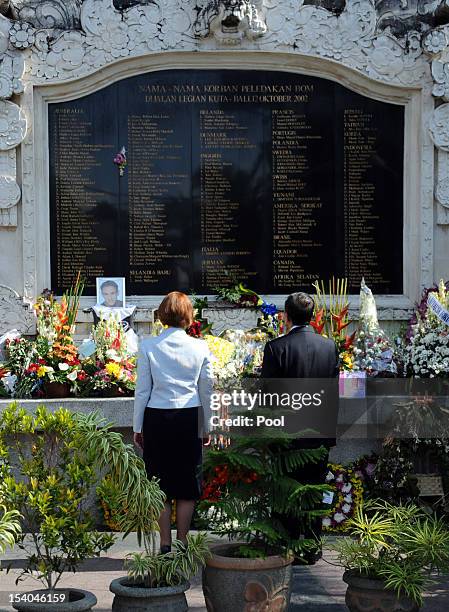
46	42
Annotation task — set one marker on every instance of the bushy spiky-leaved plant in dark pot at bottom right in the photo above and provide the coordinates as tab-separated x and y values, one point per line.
389	556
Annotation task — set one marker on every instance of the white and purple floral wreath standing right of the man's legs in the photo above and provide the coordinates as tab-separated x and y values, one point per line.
348	495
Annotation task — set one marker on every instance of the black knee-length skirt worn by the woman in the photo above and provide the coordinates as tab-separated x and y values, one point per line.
172	450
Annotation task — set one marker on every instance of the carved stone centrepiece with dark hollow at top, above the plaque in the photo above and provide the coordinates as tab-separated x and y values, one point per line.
230	20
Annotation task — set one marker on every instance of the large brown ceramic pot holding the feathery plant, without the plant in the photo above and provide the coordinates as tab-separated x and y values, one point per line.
243	585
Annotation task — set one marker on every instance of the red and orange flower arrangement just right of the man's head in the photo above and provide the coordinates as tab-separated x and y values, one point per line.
331	317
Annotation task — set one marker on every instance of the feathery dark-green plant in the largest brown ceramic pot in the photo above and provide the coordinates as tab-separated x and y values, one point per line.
247	487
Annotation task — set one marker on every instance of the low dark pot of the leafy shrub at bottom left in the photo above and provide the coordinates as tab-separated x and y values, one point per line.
76	600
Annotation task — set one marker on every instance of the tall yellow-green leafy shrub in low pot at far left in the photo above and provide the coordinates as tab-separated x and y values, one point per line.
49	485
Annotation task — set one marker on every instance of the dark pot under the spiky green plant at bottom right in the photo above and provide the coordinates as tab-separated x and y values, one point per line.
366	594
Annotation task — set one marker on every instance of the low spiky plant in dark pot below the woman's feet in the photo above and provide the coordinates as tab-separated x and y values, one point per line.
154	581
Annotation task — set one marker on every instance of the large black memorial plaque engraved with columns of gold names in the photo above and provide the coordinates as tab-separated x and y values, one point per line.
269	178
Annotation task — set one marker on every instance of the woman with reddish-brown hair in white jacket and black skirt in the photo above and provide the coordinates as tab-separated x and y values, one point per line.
172	411
